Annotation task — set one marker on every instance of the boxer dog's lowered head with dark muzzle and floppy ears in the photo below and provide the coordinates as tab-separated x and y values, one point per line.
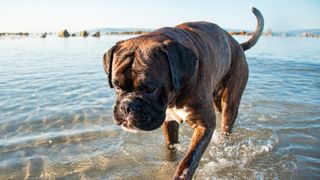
144	72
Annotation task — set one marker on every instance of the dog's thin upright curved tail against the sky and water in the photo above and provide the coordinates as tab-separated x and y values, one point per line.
255	37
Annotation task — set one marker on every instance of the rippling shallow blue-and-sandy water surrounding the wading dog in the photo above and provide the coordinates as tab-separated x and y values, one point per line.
56	121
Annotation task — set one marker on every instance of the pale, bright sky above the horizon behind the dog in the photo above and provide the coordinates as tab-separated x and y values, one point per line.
76	15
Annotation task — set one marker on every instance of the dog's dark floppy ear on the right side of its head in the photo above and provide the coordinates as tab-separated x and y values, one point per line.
182	63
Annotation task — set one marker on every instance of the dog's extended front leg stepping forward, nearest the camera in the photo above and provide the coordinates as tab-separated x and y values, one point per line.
201	137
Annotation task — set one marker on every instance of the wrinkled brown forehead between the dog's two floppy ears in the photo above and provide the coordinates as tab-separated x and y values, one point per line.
136	62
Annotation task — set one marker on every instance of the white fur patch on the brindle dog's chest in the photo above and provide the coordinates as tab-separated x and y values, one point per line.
175	114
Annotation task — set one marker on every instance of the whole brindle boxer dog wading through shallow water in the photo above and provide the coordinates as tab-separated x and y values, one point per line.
180	74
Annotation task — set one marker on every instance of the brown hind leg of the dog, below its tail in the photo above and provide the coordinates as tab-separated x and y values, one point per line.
233	88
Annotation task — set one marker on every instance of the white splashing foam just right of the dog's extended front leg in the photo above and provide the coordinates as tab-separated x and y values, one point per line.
236	150
